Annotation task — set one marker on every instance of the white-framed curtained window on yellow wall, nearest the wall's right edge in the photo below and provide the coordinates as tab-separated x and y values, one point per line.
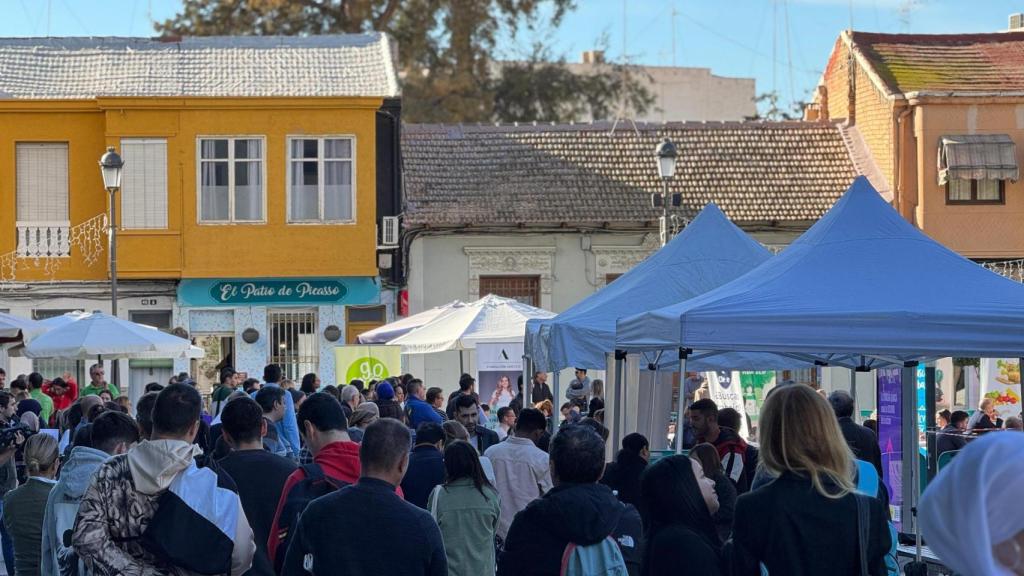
321	180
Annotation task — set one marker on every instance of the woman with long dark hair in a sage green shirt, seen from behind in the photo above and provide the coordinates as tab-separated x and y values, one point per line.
466	509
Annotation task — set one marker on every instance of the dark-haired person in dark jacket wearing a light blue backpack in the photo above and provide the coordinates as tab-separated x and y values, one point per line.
579	527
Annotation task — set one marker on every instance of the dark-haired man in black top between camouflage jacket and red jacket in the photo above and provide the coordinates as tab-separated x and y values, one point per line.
260	475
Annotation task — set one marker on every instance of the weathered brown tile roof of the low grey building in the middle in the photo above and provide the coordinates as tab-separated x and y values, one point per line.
756	172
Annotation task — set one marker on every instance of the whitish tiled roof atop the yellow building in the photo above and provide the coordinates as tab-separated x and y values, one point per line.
353	65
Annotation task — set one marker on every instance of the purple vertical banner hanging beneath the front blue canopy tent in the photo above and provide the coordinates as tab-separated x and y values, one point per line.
891	438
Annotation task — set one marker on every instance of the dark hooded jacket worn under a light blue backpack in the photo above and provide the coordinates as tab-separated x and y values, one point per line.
583	514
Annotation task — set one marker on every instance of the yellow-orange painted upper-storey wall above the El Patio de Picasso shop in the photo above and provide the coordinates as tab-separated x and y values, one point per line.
188	250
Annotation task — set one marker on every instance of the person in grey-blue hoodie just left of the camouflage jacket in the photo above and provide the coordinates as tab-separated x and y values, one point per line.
112	434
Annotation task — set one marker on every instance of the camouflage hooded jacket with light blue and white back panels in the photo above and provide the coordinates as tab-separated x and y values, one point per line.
122	501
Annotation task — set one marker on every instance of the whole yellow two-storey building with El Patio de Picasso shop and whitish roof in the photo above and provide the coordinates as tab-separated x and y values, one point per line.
257	173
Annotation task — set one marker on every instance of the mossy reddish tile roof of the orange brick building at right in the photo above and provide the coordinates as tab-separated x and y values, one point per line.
945	63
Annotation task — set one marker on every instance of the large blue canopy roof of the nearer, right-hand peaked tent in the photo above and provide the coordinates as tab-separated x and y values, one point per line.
862	285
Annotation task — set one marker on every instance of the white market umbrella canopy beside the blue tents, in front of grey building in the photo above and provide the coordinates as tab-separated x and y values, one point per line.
492	319
